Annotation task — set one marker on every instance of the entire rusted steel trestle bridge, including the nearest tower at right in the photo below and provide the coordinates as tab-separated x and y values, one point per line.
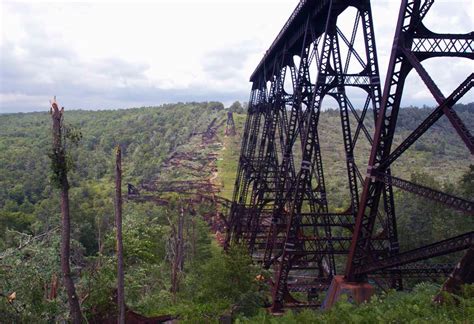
281	206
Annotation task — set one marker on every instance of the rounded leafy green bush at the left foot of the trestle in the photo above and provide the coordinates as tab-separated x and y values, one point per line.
224	283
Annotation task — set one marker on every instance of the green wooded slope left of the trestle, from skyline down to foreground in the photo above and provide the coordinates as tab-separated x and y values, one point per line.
29	214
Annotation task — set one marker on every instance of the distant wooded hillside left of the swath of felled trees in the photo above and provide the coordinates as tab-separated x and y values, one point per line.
147	136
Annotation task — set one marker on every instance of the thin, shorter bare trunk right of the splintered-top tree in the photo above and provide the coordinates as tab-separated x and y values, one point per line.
118	223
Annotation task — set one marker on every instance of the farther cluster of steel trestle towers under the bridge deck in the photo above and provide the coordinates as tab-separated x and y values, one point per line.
281	208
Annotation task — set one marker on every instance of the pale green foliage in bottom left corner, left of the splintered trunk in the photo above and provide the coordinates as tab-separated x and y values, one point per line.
29	272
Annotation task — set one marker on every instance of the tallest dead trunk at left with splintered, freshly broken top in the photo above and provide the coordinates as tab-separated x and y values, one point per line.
60	169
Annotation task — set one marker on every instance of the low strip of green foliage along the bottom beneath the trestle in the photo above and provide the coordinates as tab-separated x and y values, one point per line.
393	307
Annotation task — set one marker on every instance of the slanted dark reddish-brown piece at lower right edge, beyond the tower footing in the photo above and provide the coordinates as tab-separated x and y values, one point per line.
462	274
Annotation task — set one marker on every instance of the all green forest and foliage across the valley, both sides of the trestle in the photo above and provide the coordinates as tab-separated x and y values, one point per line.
209	283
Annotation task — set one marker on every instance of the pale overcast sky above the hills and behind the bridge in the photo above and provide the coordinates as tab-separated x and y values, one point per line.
118	54
